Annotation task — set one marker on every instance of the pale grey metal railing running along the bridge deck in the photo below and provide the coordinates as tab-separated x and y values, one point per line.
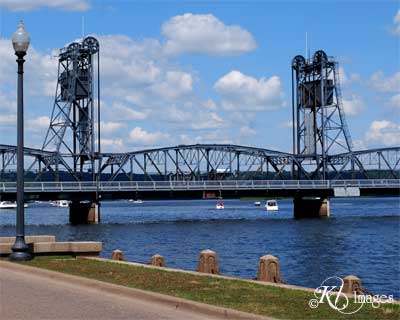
92	186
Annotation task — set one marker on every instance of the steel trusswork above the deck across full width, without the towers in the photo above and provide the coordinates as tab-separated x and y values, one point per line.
210	162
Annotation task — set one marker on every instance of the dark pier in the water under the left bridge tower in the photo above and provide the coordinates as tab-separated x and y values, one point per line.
84	212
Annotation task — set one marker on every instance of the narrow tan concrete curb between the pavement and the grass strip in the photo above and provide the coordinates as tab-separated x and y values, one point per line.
171	301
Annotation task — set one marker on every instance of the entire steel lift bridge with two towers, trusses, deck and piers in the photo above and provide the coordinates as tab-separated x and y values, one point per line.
70	165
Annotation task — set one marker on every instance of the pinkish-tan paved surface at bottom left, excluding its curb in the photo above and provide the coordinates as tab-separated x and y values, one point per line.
31	296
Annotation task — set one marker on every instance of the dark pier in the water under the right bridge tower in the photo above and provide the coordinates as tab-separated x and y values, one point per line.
311	208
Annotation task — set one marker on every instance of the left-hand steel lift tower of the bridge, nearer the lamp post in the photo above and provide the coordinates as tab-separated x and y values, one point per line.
77	103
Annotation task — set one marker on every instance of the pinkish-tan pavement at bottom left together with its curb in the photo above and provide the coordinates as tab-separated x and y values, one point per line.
41	294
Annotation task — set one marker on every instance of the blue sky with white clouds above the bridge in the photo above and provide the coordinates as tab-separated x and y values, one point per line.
203	72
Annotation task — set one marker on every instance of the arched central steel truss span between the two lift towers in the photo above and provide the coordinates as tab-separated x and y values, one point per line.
192	162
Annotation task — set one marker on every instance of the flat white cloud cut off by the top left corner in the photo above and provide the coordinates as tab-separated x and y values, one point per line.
28	5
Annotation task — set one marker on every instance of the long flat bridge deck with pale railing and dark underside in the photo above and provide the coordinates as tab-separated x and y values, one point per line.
193	189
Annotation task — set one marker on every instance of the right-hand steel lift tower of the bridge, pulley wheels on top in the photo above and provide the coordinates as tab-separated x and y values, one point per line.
319	123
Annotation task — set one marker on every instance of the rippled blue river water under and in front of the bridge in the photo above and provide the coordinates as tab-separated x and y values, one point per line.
361	237
